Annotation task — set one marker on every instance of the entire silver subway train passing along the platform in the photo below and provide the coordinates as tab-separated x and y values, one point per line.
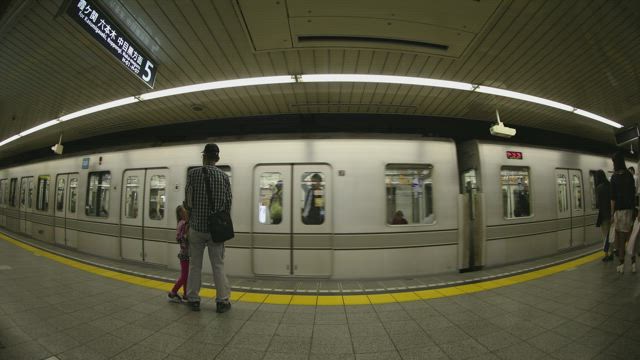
340	208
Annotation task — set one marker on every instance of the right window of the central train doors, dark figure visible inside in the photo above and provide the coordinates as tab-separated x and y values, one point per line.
312	186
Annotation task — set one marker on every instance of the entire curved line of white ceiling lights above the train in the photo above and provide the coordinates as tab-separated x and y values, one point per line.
315	78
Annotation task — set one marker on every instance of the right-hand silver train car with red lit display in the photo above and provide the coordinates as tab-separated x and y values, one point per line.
526	202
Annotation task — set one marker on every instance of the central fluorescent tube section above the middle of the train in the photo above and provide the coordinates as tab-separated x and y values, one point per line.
389	79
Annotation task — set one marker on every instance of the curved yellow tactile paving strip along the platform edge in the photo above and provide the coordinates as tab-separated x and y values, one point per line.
319	300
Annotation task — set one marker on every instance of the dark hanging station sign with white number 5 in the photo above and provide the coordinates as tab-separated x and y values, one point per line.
107	33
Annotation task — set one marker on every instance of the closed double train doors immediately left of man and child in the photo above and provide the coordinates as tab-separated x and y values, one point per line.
143	218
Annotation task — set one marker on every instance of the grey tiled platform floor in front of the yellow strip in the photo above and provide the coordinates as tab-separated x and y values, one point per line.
49	310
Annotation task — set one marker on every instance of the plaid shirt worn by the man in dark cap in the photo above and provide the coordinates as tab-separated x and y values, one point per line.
196	195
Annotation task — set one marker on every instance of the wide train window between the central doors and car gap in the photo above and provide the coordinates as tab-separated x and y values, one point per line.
409	190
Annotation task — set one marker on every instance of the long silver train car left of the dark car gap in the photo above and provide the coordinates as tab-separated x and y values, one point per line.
327	208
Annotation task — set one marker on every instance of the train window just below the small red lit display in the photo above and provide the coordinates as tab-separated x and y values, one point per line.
515	191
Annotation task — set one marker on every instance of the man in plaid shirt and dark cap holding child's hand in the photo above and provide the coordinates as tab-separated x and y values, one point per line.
199	236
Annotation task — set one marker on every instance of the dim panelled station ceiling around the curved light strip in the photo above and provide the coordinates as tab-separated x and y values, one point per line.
584	53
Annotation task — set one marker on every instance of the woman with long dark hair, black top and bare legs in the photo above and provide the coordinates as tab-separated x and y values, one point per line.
622	204
